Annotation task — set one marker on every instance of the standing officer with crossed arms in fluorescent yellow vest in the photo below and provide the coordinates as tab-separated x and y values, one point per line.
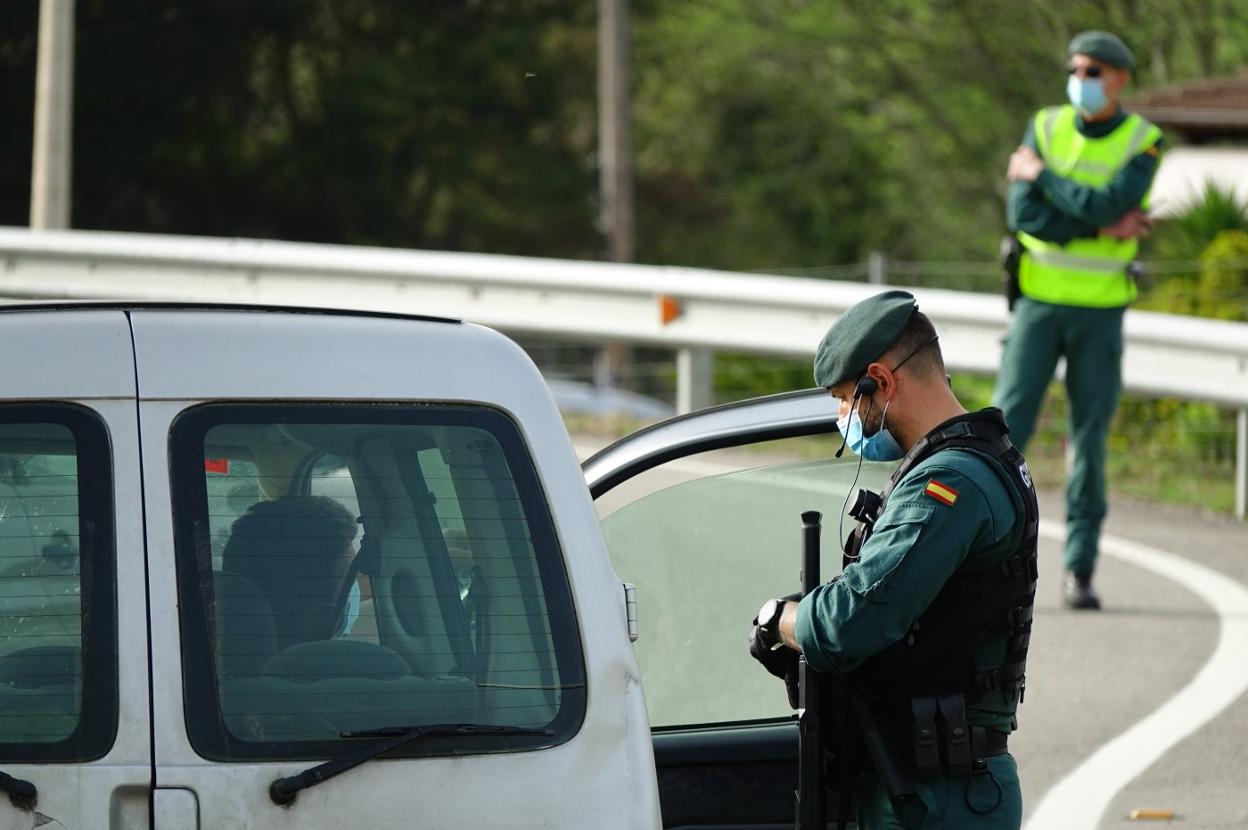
1079	197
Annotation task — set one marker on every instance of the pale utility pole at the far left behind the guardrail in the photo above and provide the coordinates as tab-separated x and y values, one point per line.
54	118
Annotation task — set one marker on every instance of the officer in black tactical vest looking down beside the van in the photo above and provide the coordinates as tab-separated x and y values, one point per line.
932	616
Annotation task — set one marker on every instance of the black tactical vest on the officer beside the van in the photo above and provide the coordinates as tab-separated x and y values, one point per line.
974	607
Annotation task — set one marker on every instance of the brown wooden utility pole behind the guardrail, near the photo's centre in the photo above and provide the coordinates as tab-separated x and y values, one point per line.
615	159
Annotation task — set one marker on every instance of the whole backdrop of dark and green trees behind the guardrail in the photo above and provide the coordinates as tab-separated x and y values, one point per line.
768	134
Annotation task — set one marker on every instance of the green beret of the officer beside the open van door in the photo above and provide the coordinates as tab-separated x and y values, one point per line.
862	335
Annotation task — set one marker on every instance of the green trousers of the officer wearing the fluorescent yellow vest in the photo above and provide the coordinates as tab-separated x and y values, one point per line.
1091	343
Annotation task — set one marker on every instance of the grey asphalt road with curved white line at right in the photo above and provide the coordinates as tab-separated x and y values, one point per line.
1141	706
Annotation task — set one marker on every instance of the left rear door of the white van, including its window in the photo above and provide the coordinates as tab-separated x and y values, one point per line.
76	738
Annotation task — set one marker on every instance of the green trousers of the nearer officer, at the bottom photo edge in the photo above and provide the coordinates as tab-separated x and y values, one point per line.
992	799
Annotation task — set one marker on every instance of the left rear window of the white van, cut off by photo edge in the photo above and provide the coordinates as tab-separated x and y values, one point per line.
58	665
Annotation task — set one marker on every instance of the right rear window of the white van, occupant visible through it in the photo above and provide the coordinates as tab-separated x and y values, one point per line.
356	569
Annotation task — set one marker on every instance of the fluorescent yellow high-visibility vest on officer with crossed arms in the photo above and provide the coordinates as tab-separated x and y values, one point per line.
1086	271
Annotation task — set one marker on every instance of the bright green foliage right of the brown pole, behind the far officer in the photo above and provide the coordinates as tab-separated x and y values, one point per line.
782	133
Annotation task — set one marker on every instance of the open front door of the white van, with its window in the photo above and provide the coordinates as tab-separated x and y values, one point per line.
702	515
